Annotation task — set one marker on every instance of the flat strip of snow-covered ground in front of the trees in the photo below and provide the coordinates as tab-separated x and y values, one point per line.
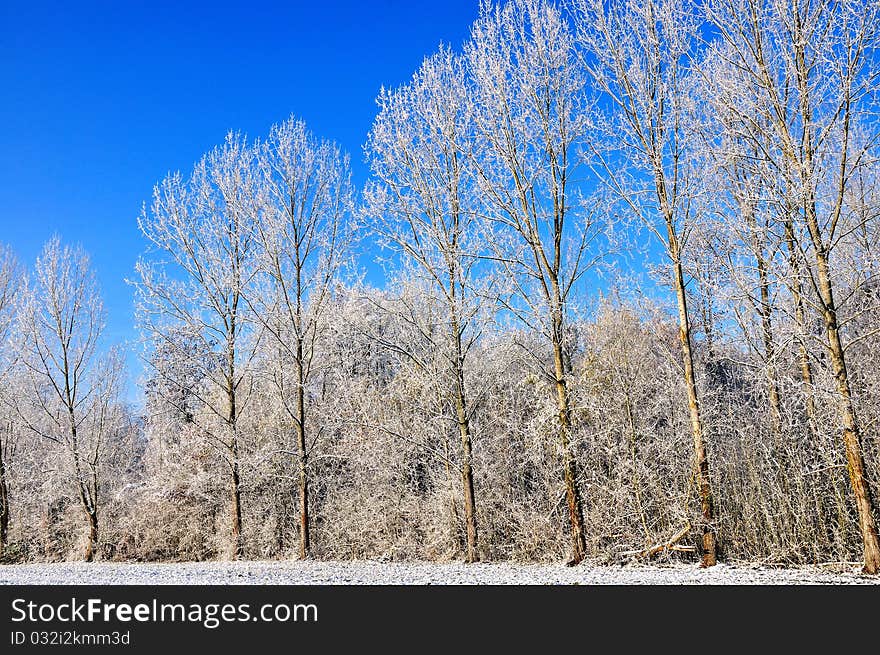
419	573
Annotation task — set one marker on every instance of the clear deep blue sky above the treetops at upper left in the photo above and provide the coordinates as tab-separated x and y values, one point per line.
99	100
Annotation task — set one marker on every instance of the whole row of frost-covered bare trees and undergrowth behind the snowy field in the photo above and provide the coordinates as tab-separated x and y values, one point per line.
630	309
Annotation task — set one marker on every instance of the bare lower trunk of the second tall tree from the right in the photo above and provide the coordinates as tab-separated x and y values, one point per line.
702	461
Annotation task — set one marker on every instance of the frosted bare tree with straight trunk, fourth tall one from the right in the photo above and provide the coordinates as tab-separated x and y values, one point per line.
424	203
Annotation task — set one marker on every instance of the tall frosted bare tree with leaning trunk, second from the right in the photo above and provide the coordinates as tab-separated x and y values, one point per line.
637	54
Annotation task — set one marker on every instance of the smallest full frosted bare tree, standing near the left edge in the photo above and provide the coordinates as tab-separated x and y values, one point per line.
73	389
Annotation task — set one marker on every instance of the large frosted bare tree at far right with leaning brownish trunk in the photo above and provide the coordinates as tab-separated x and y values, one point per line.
811	64
